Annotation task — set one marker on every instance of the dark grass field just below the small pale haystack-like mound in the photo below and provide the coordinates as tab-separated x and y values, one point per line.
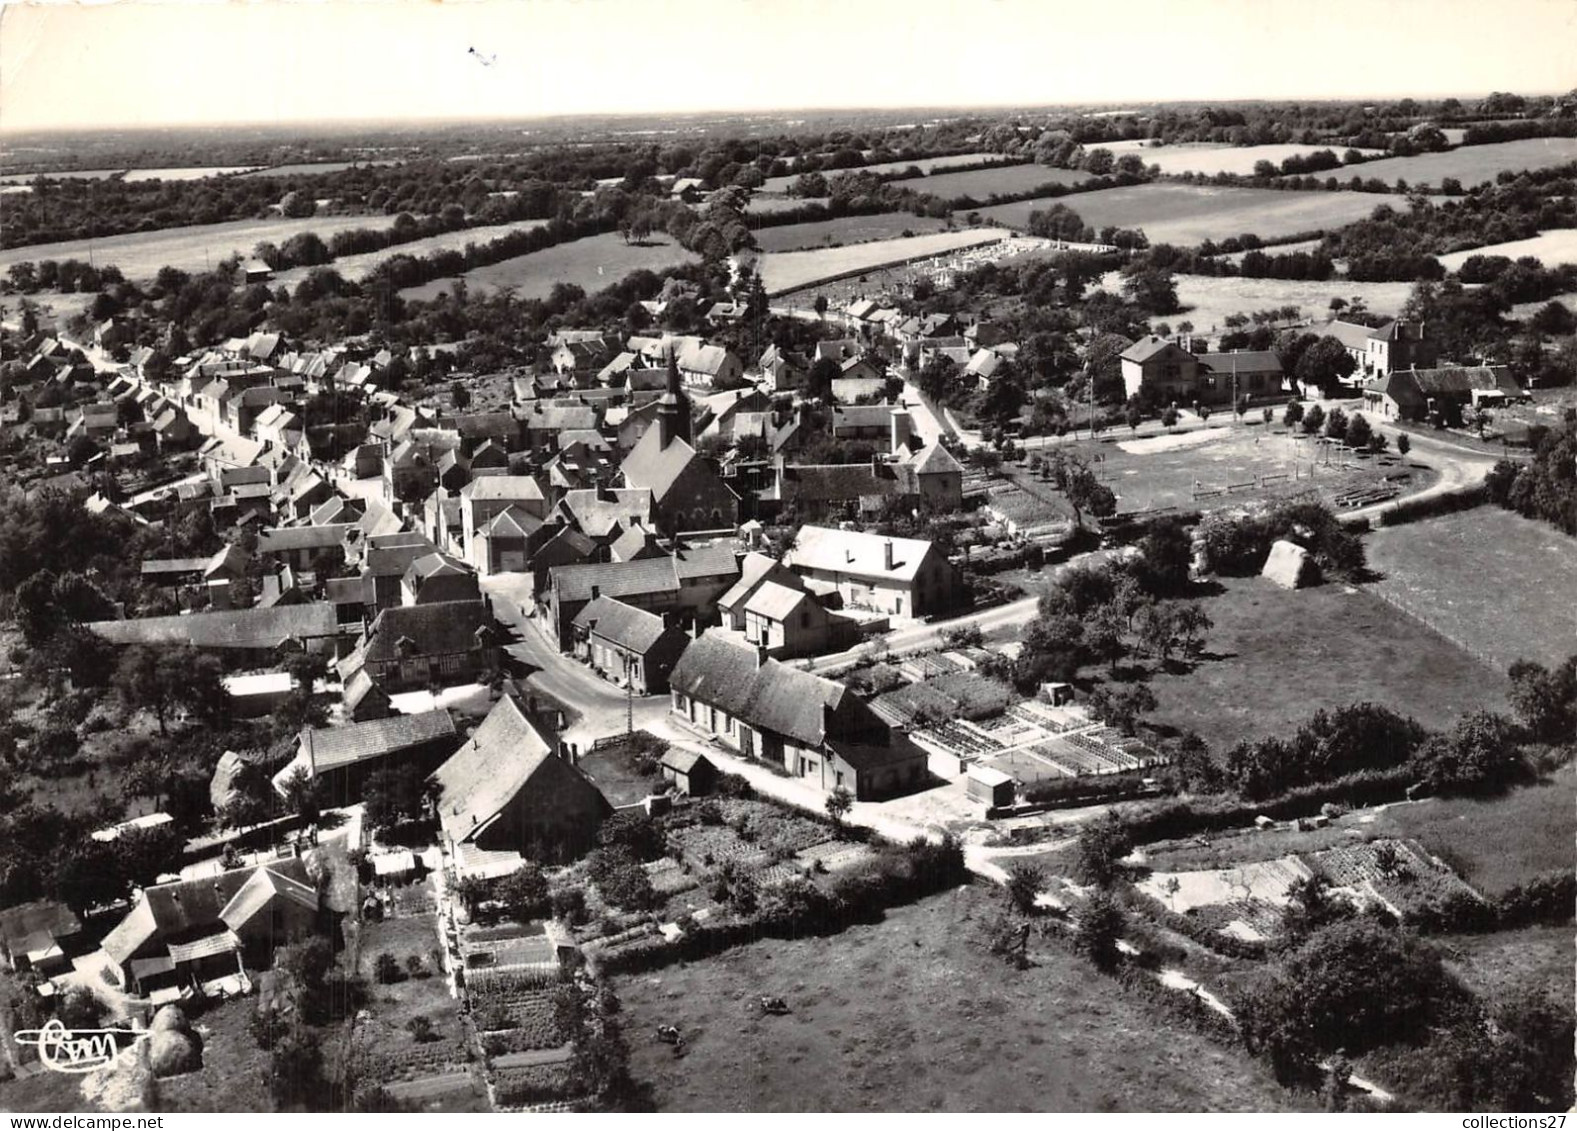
1277	655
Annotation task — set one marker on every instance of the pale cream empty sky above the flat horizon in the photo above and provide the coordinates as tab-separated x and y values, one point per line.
127	62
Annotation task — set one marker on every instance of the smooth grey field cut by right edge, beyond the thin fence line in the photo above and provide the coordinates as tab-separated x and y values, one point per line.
1496	583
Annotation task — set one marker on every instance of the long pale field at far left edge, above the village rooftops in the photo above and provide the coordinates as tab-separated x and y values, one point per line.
141	255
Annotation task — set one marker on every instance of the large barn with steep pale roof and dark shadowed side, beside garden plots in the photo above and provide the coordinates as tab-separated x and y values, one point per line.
509	789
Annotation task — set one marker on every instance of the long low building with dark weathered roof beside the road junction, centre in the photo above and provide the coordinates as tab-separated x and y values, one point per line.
815	728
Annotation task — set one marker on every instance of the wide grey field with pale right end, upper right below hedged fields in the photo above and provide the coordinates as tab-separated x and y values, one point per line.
1187	215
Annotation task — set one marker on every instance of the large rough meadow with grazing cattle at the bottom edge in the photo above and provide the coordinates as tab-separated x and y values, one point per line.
915	1015
